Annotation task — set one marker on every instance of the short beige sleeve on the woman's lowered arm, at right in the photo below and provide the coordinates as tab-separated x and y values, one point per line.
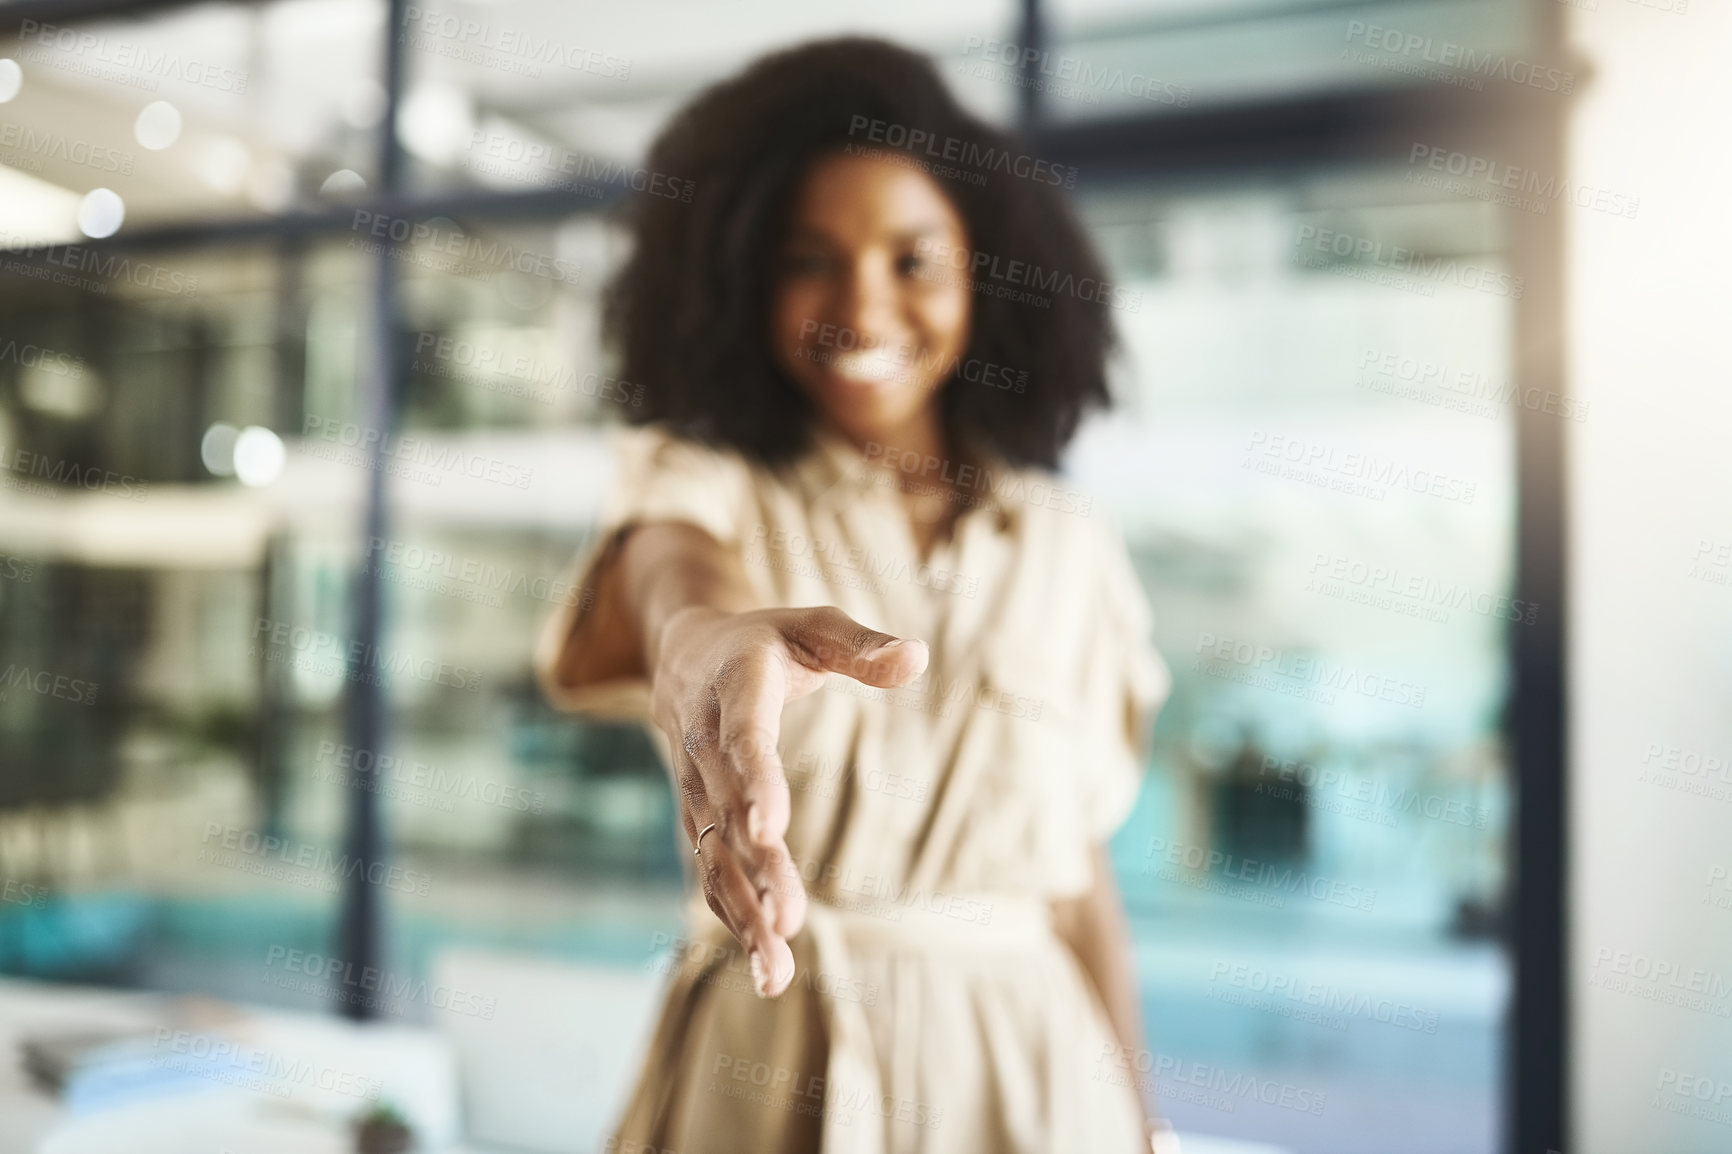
1125	687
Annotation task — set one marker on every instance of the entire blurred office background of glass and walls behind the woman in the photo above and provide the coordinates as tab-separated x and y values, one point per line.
1328	453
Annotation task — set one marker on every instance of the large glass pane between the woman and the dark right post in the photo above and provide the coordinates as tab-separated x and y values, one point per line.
1315	470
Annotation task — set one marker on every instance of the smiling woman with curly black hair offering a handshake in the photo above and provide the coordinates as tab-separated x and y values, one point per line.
903	673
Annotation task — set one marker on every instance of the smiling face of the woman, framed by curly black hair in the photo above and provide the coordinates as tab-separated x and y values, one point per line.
870	314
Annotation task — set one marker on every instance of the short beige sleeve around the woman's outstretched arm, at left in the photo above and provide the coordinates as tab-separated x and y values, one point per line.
659	477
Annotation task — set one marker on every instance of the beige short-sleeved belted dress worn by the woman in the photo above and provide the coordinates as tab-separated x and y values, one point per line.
934	1011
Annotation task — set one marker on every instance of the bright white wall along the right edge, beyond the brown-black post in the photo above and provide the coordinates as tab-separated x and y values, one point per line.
1651	474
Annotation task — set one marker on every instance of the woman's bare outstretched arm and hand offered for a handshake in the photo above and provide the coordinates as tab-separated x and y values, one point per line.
673	606
